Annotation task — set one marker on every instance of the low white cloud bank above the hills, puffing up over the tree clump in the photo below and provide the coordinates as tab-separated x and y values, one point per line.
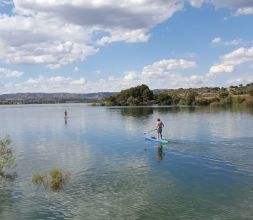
160	74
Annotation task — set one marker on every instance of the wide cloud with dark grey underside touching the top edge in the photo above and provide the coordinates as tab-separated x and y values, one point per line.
126	14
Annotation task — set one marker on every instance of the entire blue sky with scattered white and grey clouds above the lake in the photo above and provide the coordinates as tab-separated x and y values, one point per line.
84	46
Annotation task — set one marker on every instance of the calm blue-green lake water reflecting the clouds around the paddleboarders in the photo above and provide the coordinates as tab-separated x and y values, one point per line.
206	172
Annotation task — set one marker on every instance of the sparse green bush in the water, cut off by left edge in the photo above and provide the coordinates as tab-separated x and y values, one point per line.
7	160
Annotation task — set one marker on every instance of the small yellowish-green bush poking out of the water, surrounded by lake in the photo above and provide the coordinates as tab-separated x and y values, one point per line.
55	179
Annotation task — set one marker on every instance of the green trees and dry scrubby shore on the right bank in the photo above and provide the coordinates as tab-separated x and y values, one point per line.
206	96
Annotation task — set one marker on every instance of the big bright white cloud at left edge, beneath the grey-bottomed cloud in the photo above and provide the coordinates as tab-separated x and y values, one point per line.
26	40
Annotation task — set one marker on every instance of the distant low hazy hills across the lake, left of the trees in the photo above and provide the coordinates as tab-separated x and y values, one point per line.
28	98
